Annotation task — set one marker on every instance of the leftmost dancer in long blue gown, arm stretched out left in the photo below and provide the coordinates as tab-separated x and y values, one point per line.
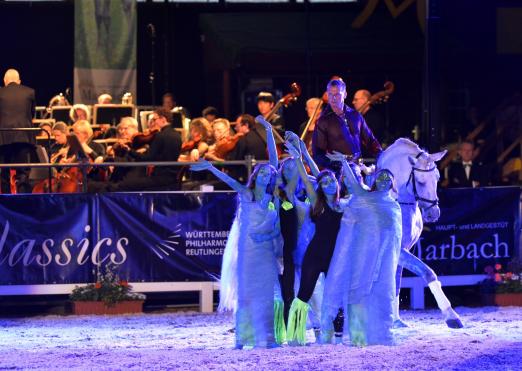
257	233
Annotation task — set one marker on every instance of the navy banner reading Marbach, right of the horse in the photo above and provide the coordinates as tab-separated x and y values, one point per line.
477	227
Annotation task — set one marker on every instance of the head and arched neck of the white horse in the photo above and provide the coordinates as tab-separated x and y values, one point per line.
416	176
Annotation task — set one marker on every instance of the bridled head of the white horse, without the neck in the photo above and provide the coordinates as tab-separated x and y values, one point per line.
422	183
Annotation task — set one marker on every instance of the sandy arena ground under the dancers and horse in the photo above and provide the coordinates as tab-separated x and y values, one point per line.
491	340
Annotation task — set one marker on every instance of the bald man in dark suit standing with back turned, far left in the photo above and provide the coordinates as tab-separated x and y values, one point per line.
17	107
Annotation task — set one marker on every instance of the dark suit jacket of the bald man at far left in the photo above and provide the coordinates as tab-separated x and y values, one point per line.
16	111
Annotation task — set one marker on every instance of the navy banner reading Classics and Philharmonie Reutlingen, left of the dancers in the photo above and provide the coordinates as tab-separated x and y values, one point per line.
53	239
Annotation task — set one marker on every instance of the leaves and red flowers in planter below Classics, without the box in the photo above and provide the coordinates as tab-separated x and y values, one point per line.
108	288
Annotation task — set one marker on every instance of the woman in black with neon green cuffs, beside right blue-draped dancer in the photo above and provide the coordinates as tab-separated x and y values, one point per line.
326	213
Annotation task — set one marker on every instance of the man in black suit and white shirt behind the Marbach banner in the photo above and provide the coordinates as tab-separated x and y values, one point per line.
466	172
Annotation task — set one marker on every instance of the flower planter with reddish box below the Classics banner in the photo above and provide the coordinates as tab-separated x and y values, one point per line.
109	295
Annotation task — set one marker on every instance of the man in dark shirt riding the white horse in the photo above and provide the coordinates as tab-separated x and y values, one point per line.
342	129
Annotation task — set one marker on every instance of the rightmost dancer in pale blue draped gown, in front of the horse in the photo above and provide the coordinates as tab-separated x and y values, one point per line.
363	266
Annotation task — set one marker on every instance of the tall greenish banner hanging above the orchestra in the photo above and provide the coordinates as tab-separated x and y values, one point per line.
104	49
